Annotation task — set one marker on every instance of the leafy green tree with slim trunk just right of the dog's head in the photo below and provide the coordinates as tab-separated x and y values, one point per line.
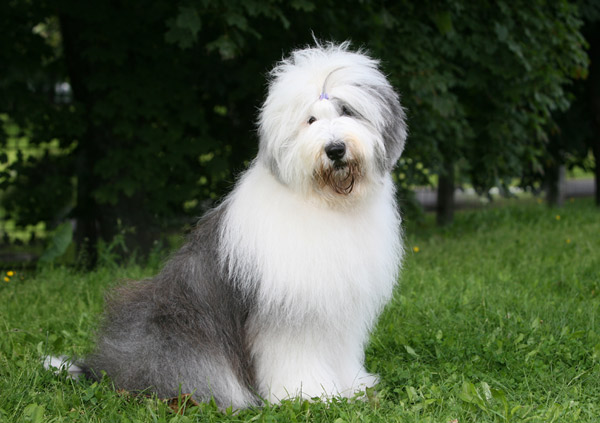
481	81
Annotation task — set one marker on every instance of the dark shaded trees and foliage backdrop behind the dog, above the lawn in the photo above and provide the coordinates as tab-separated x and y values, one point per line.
121	122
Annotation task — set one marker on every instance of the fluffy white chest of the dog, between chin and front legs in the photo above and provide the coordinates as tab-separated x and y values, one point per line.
302	257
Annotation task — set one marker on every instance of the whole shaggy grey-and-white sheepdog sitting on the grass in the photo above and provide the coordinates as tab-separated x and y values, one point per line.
276	290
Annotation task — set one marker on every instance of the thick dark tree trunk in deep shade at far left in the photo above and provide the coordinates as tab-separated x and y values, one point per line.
96	220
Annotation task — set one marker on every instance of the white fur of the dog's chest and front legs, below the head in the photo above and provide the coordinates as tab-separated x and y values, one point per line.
322	276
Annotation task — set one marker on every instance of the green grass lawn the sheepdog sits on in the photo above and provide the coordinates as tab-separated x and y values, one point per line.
496	319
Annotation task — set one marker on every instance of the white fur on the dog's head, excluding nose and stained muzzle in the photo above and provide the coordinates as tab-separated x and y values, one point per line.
297	82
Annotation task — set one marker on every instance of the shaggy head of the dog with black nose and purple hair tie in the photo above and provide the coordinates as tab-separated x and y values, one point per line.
332	124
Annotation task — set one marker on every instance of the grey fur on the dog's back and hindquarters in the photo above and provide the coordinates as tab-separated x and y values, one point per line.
182	331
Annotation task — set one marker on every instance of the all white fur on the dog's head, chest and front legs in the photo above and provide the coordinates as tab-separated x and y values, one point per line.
320	264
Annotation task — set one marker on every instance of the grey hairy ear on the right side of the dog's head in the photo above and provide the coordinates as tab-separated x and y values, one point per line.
395	130
